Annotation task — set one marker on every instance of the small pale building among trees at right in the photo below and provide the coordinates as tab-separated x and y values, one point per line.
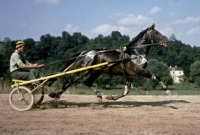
176	73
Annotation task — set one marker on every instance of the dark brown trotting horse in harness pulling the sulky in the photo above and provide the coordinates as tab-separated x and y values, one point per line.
130	61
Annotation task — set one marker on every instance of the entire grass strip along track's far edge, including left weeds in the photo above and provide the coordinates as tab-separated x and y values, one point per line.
189	89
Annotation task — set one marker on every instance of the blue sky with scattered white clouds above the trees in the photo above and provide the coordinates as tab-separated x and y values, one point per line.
22	19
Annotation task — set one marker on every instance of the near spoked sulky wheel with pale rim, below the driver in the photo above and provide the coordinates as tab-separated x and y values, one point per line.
21	98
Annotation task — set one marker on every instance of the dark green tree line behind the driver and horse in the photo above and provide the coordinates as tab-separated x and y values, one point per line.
55	51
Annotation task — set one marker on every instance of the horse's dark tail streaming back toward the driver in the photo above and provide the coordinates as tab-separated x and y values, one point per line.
72	61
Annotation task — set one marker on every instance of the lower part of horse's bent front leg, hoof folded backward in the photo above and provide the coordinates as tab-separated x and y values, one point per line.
126	91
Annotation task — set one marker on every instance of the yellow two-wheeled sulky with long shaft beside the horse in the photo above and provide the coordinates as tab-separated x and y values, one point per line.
22	98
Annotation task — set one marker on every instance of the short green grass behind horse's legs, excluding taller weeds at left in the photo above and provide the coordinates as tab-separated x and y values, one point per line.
175	89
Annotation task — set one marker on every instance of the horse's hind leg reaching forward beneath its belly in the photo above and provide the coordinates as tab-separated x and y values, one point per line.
89	82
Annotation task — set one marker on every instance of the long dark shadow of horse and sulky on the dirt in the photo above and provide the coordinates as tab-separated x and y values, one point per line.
111	104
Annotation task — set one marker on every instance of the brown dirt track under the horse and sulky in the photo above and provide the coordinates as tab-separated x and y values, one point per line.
83	115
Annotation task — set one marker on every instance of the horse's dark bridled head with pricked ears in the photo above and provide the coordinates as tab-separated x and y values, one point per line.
155	37
